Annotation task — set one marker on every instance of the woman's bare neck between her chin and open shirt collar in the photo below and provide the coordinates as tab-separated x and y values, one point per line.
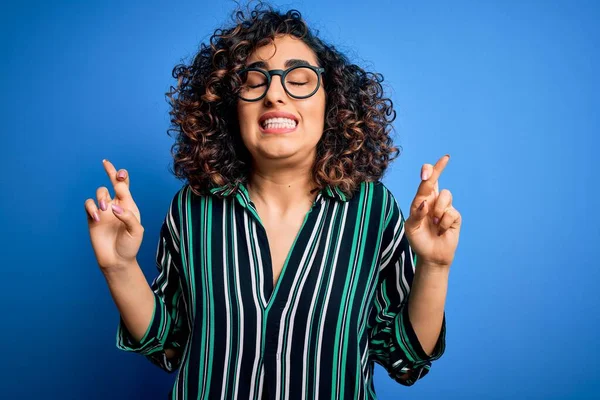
281	190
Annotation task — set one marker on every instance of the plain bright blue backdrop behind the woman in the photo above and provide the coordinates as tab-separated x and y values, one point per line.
509	89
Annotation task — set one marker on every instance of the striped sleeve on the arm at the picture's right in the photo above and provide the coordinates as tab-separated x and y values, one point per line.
392	339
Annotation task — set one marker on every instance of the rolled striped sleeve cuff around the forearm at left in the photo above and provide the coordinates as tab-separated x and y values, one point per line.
154	337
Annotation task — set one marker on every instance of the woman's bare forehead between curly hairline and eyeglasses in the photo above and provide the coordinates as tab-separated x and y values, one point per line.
283	48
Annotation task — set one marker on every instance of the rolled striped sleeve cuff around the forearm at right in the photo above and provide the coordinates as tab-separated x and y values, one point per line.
407	341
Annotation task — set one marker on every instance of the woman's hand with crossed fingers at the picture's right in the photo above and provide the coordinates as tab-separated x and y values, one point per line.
434	224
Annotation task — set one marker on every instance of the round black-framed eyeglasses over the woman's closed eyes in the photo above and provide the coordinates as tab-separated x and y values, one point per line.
299	82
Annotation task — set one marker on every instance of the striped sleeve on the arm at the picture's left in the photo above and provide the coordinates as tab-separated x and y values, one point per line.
169	327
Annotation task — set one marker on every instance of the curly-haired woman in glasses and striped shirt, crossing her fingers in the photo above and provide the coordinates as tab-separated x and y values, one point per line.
284	264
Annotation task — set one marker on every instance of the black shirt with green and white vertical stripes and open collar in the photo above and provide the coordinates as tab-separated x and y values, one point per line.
339	305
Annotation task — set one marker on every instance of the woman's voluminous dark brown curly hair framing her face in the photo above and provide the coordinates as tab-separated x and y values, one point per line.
355	146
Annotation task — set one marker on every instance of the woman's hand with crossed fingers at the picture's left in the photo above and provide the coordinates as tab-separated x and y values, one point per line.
116	238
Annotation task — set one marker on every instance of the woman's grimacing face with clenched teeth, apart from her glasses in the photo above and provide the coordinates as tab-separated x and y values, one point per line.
293	143
